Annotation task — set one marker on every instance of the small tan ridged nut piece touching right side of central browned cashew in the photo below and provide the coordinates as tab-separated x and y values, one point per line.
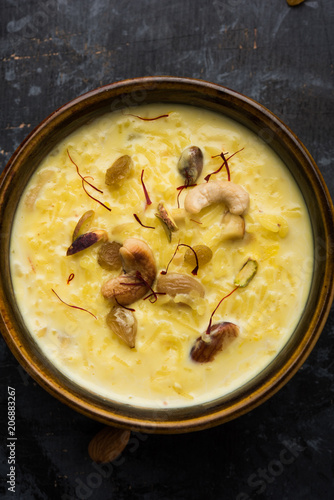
176	283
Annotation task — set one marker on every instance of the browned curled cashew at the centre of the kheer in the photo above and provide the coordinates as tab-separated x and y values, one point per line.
139	273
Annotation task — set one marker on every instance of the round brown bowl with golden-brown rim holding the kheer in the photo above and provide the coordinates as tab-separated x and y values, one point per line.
305	172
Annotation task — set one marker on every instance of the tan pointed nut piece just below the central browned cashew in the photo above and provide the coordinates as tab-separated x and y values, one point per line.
123	323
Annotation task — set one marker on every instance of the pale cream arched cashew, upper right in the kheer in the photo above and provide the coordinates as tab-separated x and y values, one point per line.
234	196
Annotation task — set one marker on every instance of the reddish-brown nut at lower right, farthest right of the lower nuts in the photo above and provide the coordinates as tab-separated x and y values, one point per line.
209	344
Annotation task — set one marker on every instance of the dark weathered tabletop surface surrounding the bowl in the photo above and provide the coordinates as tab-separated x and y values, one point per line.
54	50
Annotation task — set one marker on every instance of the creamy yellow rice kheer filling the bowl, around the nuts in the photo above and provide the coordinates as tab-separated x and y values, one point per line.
159	371
